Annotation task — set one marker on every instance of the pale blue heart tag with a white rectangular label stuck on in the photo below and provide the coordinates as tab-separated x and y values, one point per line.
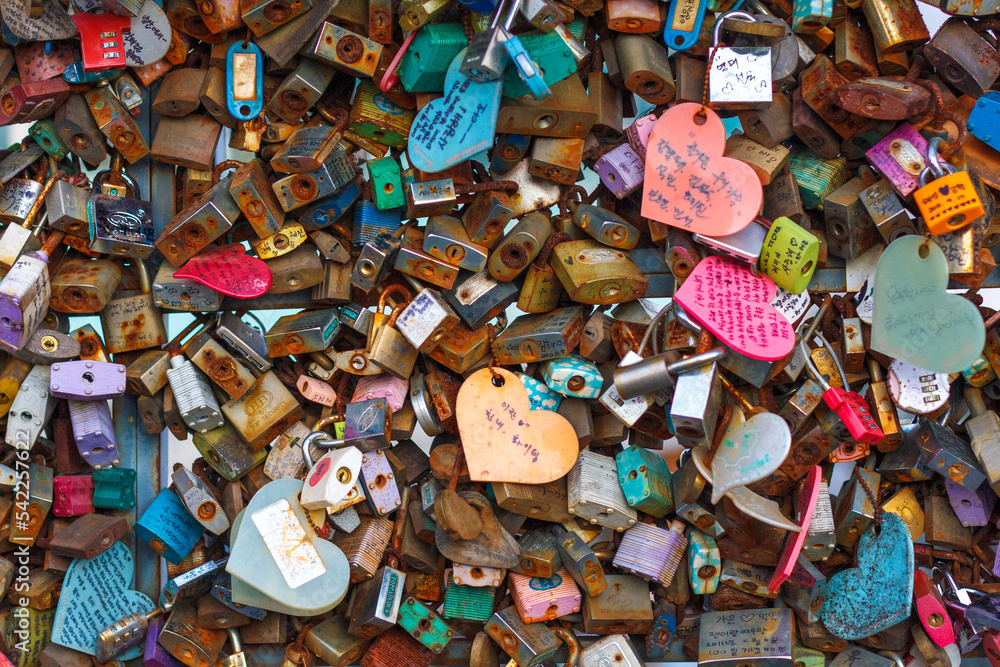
324	573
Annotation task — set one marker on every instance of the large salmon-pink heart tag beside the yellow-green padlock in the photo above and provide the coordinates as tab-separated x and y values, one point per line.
689	184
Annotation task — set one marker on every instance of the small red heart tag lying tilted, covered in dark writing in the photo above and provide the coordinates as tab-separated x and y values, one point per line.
228	269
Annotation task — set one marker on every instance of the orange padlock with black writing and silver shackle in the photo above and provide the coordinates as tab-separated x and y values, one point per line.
950	201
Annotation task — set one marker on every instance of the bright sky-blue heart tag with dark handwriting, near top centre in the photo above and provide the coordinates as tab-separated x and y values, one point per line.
453	128
